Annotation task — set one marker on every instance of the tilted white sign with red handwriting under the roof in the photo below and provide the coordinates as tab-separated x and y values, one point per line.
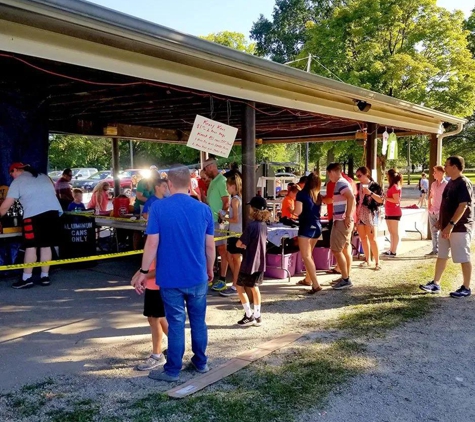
211	136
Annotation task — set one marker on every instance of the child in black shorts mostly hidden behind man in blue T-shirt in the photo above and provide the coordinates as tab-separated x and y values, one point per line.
155	312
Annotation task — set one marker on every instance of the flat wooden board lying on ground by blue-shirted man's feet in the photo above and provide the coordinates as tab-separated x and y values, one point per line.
232	366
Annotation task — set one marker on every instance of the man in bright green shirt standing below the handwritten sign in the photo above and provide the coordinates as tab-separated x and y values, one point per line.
218	200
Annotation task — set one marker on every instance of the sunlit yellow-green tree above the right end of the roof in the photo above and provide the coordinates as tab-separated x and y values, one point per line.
409	49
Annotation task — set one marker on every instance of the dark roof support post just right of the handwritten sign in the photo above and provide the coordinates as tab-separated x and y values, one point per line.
248	136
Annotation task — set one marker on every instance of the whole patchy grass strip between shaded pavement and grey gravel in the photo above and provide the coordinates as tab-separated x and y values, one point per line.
281	387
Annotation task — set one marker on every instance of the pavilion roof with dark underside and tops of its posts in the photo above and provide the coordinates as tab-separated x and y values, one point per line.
69	66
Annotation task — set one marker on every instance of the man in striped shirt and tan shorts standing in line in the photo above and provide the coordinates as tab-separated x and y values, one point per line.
343	224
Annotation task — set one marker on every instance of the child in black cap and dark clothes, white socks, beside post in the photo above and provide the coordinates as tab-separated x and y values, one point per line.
253	265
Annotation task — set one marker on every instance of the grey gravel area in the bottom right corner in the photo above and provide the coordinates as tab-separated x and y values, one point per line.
423	372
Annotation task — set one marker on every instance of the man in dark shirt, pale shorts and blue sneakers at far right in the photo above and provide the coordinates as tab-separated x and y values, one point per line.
455	224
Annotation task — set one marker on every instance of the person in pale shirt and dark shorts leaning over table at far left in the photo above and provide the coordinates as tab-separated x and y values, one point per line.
41	225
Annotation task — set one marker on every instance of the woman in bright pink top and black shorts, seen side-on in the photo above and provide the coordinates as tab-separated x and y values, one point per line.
393	210
